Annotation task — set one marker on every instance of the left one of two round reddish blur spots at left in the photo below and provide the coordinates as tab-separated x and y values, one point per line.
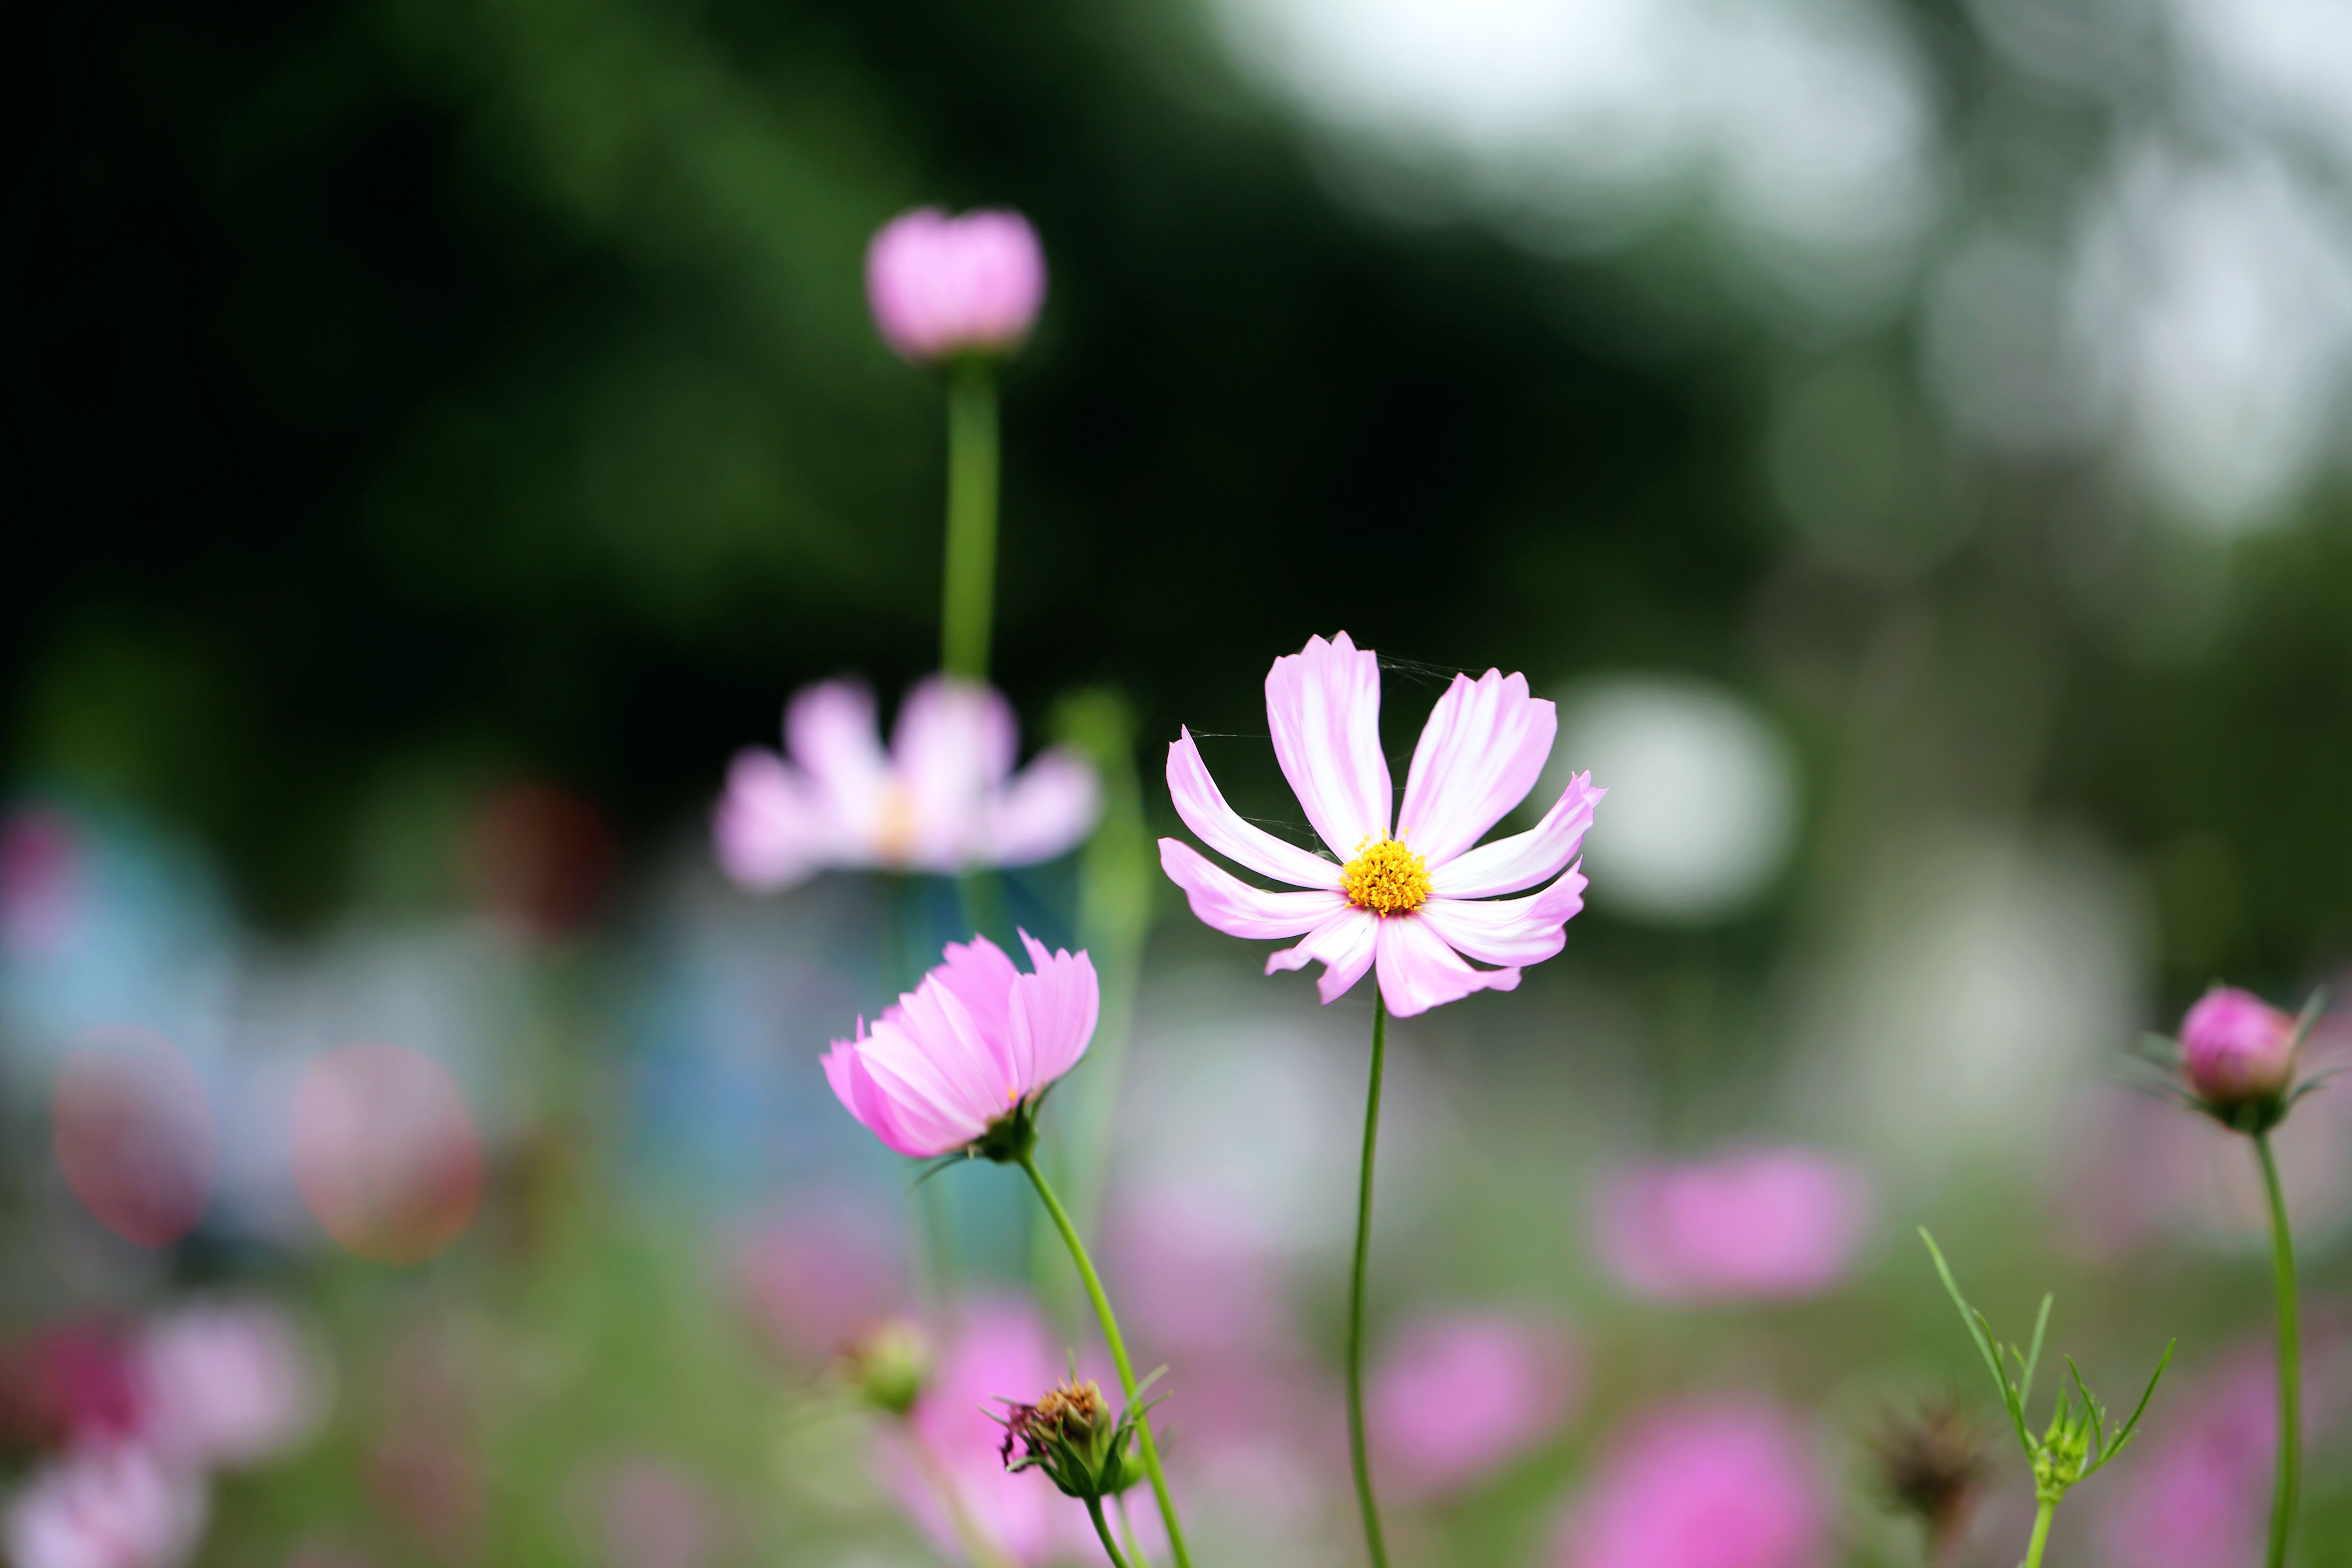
135	1134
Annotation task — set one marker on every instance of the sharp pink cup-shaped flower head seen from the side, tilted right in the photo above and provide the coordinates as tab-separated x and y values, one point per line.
970	1047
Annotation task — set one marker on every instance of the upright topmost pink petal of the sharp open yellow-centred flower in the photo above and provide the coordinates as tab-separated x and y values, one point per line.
1325	711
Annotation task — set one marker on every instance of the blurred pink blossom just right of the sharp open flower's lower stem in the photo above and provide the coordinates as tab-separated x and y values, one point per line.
1464	1395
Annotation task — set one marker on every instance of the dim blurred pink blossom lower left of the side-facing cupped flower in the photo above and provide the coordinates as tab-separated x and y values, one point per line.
817	1278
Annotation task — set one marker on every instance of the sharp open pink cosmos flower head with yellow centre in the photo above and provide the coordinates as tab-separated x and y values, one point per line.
1415	902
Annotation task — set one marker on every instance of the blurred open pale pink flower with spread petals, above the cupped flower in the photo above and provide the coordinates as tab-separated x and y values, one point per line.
942	800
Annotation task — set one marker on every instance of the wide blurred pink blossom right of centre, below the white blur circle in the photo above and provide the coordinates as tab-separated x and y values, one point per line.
1753	1224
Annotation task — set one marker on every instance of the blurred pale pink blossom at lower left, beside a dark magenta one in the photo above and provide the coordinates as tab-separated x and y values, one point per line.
229	1383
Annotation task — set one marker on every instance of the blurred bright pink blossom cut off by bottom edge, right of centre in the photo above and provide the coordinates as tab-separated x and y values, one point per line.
1702	1487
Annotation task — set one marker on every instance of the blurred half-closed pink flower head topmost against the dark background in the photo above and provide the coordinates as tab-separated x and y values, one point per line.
954	286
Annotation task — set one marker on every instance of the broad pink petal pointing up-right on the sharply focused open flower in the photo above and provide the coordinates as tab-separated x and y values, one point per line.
1478	758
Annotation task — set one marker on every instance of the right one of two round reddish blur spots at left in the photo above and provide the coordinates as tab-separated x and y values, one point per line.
387	1153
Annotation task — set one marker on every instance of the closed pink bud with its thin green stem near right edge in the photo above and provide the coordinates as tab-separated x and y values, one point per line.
2238	1061
